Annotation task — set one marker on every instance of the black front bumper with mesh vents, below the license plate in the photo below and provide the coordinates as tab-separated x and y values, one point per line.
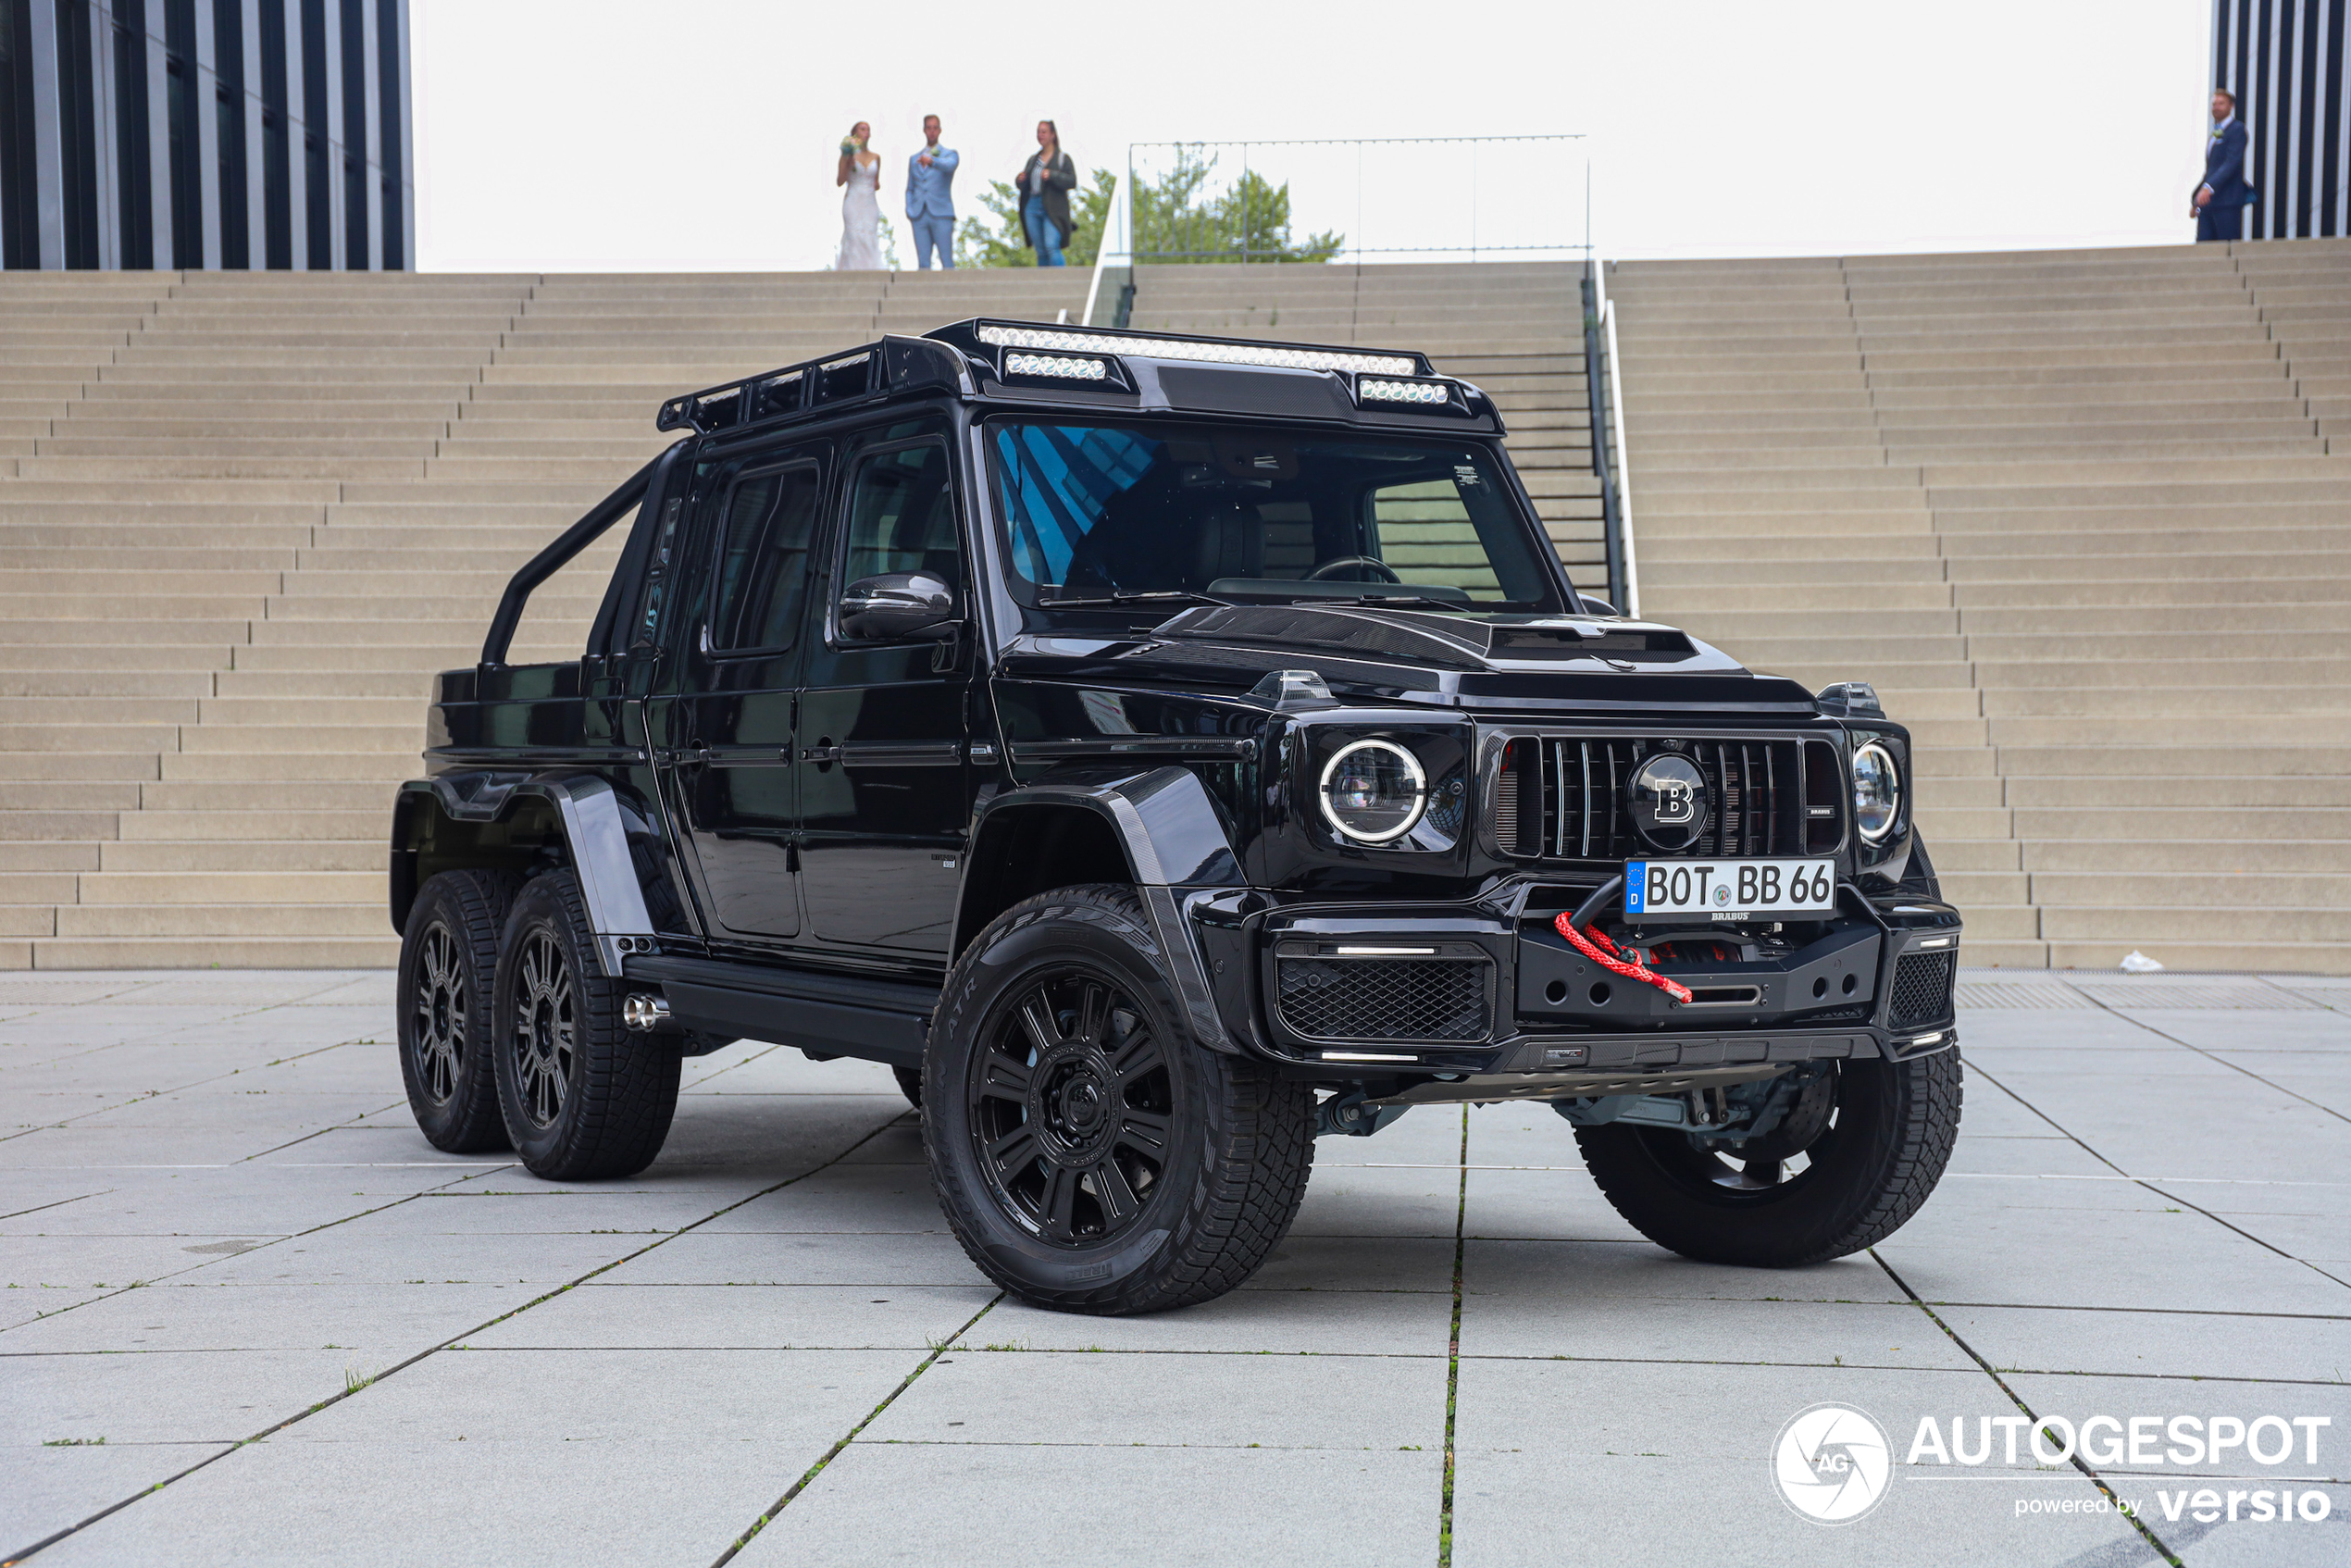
1377	991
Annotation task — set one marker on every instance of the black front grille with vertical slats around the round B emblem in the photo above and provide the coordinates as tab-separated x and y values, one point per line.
1565	798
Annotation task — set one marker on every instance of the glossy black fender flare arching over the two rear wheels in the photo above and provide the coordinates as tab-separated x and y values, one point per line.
596	824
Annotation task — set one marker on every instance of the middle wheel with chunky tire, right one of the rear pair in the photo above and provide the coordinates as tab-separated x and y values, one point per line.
582	1097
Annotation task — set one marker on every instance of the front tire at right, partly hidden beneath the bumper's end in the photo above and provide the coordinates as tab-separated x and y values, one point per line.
1870	1174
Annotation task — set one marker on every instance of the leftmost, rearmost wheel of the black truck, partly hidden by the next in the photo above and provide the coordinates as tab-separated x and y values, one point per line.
448	979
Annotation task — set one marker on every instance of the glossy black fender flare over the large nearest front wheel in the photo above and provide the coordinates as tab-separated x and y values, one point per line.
1177	850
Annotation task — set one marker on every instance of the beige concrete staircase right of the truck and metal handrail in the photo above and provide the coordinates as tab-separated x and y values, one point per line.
2079	518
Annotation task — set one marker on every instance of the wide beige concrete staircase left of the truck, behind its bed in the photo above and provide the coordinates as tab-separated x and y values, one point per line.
246	518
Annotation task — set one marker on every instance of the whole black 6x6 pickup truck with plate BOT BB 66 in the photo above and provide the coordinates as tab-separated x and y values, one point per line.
1163	753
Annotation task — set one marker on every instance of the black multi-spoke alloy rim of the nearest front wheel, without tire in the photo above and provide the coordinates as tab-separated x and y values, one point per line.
1071	1106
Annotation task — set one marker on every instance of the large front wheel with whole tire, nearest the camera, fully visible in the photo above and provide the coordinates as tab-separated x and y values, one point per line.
1090	1153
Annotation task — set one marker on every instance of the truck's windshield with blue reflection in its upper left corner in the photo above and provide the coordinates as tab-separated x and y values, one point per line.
1108	511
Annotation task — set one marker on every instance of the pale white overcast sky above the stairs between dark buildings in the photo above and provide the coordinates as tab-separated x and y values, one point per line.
627	135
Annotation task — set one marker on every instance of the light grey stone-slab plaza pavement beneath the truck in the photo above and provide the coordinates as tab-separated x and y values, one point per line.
257	1318
